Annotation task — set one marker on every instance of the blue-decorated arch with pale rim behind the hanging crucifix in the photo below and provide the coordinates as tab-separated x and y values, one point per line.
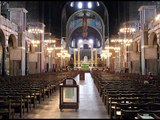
100	29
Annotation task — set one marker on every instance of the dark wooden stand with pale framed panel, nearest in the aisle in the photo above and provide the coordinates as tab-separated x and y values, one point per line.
69	94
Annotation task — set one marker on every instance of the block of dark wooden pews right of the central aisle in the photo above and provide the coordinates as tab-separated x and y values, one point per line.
126	96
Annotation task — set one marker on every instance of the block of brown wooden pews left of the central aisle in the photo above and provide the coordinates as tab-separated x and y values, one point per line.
21	94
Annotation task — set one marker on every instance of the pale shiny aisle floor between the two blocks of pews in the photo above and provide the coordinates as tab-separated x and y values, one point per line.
90	106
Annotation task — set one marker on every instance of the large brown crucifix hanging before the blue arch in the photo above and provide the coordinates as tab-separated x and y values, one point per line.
84	22
